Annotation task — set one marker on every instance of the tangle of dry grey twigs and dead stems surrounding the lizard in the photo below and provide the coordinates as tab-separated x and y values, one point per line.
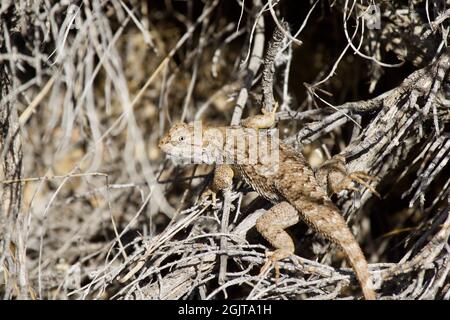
91	210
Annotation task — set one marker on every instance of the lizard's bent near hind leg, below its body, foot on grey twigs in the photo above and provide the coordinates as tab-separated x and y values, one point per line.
271	226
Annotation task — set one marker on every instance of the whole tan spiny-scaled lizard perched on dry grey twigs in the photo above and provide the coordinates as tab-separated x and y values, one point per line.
290	184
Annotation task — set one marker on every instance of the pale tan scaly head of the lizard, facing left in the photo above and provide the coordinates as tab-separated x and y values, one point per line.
189	142
